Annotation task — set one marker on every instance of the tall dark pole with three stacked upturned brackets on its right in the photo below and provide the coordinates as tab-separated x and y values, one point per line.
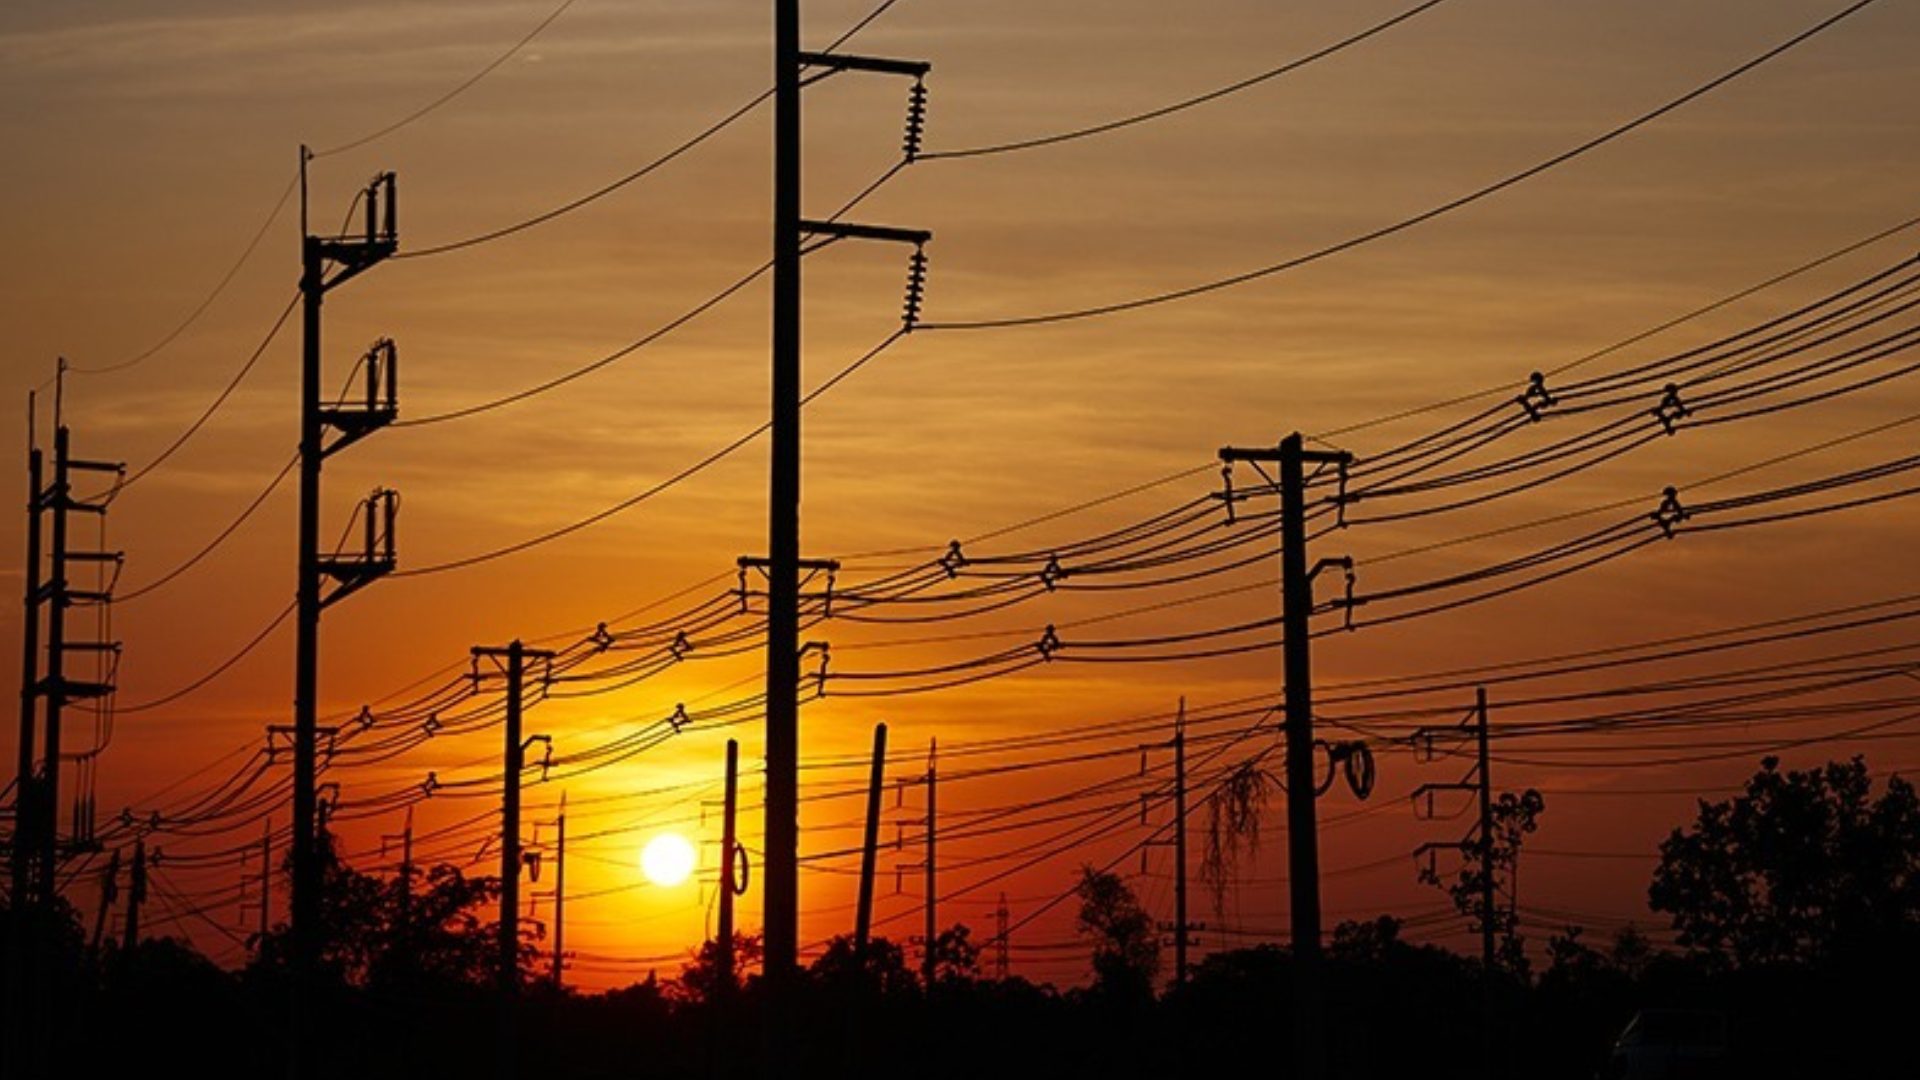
325	264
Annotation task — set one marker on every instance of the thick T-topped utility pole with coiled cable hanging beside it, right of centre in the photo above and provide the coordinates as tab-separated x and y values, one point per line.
1303	829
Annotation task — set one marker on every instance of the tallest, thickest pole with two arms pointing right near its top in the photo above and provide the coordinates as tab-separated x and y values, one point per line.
784	485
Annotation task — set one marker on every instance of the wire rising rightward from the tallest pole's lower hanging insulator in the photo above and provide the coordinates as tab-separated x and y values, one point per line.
1406	222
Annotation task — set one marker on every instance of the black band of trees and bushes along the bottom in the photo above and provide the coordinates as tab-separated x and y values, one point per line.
1796	906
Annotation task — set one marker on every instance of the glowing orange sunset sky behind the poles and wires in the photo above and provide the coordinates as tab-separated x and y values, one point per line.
145	153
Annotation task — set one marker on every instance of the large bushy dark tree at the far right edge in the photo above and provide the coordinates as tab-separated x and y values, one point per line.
1796	870
